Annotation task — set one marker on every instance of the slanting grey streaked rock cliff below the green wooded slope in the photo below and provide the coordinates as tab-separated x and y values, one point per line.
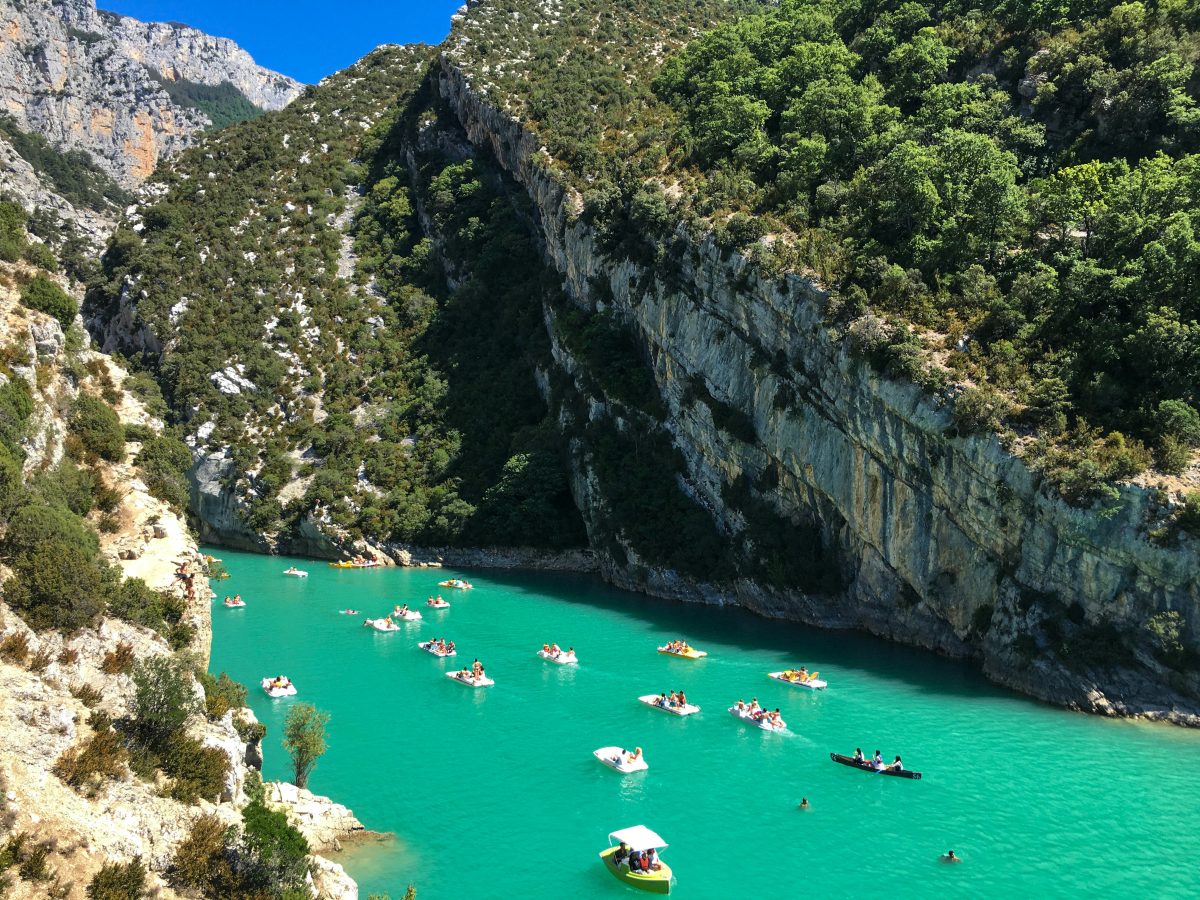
943	542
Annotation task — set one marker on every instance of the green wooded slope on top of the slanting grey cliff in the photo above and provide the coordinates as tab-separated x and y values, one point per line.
1003	200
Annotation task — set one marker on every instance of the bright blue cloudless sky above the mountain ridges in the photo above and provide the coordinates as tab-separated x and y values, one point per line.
304	39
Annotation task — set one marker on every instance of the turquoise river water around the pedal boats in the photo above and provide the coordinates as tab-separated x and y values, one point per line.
495	793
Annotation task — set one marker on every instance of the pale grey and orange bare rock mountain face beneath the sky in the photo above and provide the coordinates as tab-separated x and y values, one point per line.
82	79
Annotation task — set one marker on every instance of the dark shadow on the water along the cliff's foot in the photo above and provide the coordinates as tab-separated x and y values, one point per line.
796	644
